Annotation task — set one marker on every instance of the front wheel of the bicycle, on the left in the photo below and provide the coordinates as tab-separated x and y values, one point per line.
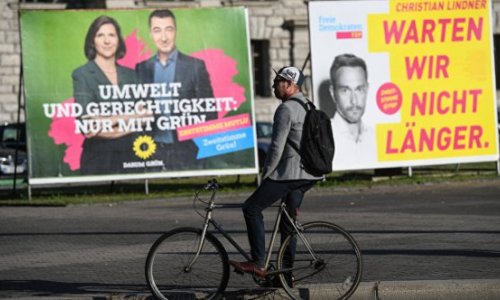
173	271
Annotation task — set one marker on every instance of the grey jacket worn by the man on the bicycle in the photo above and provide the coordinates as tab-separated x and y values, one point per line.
282	160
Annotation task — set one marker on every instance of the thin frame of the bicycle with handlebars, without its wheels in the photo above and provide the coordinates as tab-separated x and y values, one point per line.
209	220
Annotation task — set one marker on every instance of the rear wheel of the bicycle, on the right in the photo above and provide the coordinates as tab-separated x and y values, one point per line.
334	269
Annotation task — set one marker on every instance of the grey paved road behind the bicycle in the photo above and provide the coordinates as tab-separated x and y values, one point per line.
448	231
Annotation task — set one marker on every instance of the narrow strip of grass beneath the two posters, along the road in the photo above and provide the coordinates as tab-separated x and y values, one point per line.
113	192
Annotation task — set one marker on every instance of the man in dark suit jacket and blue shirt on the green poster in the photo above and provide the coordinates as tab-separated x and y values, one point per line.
169	66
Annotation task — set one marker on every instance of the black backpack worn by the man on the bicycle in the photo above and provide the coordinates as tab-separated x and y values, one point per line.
317	146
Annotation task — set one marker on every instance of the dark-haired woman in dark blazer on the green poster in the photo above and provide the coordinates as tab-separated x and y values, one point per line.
104	150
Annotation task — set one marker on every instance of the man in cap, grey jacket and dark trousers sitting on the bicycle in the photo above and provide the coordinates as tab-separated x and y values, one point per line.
283	175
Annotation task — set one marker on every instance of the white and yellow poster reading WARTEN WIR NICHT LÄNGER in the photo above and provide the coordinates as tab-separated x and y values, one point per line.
406	83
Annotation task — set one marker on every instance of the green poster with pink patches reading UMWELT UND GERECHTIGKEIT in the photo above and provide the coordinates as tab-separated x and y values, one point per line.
137	94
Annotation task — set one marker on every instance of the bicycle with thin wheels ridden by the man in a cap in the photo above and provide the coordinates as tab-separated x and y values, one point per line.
191	263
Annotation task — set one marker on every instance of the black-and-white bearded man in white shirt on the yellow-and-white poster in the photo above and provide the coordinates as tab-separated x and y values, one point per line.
355	141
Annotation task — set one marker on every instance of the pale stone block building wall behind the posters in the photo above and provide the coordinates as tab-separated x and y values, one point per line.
267	20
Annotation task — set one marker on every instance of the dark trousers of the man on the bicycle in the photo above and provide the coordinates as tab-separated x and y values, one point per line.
265	195
